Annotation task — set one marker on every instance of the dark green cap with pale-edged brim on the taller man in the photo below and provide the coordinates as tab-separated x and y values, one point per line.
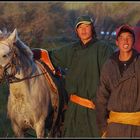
83	19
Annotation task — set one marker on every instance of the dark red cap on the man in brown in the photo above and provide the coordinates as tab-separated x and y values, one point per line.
125	28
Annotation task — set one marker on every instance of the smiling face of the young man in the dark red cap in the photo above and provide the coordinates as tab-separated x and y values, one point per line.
125	42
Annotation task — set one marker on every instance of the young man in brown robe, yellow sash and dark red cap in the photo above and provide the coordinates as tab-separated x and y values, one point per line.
118	95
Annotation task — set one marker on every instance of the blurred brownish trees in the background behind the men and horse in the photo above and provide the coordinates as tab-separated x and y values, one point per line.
39	23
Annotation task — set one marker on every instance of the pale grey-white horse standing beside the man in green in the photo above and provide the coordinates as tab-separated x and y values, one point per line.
31	99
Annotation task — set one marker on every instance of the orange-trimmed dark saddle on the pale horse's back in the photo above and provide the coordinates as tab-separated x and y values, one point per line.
42	56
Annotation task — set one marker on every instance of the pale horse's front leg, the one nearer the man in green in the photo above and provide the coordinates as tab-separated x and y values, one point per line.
40	129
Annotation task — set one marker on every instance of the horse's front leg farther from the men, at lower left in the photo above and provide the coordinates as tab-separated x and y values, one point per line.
17	130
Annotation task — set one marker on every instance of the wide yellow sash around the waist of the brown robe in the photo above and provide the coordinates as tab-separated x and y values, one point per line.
124	118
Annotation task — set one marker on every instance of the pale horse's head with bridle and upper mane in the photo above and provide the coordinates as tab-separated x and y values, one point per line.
11	50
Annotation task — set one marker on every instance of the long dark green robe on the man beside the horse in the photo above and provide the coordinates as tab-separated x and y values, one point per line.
82	76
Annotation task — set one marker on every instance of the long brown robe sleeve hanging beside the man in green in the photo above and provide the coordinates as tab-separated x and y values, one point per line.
102	97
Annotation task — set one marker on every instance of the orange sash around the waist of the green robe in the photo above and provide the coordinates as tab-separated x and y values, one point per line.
82	101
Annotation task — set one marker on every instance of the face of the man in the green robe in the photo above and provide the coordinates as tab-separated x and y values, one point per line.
84	32
